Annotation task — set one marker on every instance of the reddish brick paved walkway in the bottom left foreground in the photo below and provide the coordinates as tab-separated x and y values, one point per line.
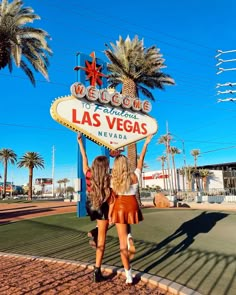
36	275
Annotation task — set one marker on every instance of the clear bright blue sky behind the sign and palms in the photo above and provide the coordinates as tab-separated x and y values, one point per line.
188	34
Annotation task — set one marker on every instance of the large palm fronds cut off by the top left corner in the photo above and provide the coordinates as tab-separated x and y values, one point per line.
21	43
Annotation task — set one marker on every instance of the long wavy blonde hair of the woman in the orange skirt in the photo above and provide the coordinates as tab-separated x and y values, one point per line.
121	175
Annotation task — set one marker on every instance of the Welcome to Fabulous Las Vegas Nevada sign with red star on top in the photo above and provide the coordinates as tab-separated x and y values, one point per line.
105	116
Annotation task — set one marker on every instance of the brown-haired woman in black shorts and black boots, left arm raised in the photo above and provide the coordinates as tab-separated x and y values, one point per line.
98	195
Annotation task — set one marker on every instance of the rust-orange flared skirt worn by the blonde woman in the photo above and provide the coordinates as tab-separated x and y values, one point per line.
126	210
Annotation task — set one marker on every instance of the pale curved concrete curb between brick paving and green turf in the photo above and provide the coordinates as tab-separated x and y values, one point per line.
166	285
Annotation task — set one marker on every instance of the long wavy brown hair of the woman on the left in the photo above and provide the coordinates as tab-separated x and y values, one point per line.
100	182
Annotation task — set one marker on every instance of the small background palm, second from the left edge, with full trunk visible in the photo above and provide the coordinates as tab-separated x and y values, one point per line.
31	160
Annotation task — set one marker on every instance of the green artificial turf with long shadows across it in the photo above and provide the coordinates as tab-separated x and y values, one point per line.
192	247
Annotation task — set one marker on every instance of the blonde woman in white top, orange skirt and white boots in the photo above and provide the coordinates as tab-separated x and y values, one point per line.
126	210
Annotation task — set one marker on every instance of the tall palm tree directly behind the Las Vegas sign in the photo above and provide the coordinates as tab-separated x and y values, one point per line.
135	68
